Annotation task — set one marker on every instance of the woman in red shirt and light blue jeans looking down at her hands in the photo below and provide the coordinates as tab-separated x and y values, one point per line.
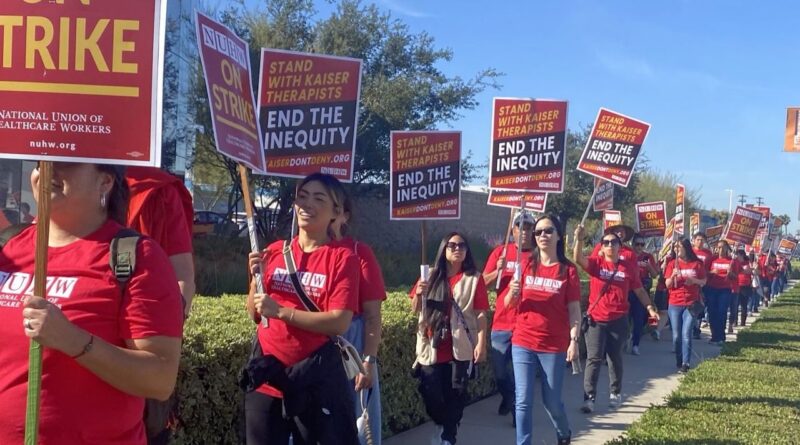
686	274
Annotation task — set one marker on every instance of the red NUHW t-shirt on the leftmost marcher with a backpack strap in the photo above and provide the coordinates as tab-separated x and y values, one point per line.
78	407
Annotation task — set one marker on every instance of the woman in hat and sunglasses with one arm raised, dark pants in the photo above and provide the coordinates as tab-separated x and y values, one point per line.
611	280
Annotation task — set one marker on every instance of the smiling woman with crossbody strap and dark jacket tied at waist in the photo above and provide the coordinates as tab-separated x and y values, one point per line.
299	379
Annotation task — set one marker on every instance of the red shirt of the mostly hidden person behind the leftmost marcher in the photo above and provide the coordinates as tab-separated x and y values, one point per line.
161	208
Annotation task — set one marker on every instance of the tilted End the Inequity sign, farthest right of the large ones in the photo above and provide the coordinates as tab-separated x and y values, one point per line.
613	147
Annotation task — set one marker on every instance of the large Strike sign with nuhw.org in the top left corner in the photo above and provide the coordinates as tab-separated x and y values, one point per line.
82	81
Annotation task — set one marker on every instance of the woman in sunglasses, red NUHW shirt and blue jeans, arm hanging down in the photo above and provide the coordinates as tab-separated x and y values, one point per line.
547	298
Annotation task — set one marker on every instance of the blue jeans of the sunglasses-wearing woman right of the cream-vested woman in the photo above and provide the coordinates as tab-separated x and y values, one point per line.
551	366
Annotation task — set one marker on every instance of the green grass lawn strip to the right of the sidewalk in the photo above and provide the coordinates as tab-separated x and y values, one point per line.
747	395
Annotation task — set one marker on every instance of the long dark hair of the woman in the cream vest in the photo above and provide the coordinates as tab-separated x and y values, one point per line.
439	291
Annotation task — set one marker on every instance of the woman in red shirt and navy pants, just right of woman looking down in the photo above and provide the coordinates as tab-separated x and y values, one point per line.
719	294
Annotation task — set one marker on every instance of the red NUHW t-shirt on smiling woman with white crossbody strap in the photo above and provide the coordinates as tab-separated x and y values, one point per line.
329	276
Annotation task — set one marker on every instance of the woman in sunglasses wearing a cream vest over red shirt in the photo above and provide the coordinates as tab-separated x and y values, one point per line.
451	334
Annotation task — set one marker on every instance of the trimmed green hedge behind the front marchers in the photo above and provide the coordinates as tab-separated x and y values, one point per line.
217	340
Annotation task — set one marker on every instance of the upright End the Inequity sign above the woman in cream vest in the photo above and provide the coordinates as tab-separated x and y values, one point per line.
425	176
